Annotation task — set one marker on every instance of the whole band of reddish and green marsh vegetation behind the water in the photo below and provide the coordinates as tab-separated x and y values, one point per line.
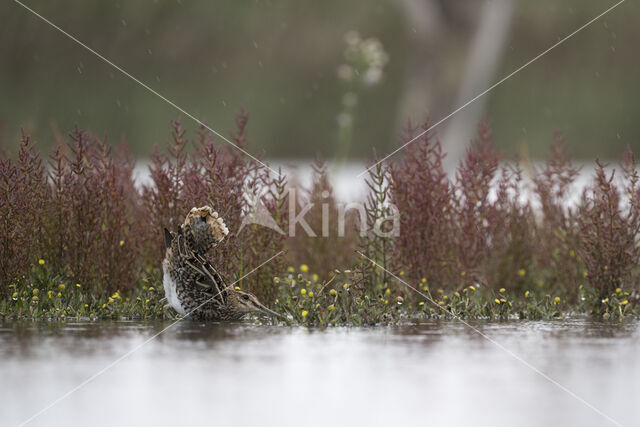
78	238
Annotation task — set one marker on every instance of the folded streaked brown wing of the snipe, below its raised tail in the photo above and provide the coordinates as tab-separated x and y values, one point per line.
203	275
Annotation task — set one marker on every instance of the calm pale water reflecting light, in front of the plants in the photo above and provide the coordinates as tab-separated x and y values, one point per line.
434	373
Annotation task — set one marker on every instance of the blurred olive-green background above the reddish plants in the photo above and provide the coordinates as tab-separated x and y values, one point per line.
278	60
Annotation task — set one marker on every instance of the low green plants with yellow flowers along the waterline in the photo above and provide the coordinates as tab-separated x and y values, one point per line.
305	299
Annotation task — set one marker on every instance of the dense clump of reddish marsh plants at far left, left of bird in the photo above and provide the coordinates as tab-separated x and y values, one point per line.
73	218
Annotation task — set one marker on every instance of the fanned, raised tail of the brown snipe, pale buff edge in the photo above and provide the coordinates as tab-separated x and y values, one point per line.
204	228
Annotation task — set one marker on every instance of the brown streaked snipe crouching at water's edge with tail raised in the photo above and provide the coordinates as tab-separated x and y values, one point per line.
192	285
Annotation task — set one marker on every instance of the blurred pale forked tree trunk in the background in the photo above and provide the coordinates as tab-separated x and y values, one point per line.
439	30
